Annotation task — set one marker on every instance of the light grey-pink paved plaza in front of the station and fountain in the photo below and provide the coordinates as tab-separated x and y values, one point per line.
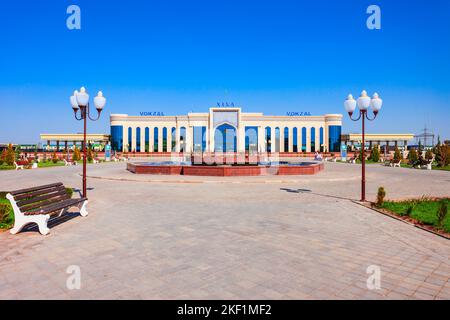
180	237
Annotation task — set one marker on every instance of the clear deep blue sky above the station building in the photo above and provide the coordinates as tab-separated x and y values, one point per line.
181	56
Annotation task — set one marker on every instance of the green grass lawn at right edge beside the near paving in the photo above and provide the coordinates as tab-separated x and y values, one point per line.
423	210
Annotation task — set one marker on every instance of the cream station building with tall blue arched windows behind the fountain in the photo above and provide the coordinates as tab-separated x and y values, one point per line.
226	129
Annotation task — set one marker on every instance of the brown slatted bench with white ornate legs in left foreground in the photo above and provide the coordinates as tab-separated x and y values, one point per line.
38	204
